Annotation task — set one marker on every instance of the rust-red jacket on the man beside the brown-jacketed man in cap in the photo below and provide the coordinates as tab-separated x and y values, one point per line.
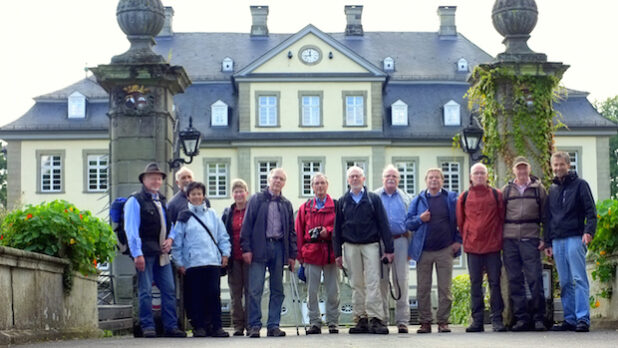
480	220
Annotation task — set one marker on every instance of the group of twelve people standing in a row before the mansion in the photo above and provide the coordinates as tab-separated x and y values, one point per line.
370	236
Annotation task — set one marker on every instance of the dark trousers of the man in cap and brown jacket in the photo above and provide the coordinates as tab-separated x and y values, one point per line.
522	261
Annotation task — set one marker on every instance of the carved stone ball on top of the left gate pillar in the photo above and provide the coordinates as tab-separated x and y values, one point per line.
140	17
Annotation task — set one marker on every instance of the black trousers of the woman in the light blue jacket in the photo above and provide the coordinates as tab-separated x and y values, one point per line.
203	285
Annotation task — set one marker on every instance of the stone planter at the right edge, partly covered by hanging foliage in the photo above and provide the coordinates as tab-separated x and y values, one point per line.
606	315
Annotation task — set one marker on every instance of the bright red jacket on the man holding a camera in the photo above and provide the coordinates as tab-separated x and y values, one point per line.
321	252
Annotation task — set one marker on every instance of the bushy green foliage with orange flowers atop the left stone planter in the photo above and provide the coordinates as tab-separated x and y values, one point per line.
60	229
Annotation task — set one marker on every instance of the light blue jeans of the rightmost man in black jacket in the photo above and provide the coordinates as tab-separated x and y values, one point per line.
570	256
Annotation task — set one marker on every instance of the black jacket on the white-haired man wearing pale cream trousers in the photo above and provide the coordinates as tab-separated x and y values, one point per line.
361	223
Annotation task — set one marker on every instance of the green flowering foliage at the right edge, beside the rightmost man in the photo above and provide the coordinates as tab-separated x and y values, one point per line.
603	247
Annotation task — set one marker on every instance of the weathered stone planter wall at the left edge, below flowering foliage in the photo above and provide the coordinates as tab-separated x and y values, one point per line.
33	305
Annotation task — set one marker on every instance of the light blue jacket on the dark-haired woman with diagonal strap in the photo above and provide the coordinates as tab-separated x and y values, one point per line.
192	246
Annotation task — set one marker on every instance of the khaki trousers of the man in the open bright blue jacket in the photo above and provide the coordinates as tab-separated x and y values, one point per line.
443	259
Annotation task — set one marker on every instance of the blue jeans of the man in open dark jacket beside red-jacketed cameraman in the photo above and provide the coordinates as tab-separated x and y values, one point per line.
257	275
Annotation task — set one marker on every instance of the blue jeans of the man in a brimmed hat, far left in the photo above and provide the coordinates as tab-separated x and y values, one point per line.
164	279
